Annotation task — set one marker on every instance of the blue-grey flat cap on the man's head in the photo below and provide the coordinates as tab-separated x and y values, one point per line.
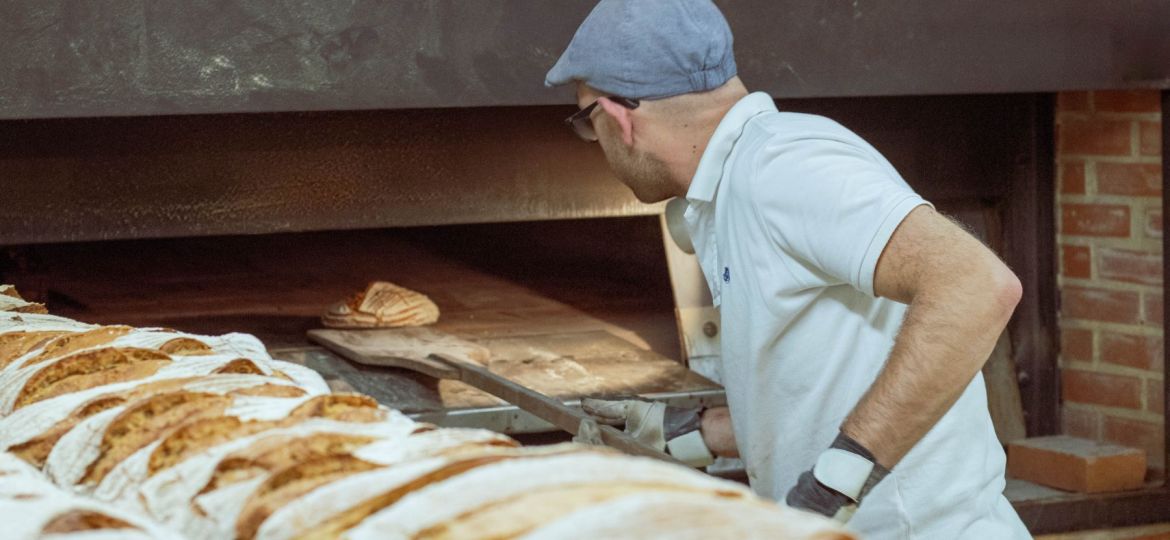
649	50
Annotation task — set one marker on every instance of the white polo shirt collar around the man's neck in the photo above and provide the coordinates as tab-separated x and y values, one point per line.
719	148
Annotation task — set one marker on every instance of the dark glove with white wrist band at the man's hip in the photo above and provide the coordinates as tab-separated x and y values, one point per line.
839	481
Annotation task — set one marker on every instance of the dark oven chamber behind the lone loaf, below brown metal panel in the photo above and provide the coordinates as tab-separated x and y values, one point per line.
278	287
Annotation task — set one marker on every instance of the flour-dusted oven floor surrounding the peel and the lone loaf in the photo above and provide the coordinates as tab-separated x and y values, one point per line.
570	329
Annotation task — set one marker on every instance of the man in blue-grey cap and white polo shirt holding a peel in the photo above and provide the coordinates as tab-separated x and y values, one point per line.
856	319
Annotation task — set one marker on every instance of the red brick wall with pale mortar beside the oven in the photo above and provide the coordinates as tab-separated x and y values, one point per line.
1110	236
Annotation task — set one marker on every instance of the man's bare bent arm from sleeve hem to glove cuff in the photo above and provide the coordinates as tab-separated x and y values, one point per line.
960	299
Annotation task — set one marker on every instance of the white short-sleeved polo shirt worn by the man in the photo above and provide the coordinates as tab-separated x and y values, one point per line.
789	214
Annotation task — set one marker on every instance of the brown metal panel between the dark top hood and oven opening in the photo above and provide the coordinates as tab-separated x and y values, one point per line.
195	176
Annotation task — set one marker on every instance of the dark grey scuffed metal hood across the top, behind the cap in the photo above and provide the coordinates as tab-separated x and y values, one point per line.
123	58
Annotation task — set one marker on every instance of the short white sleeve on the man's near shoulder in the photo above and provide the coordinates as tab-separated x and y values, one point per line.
831	205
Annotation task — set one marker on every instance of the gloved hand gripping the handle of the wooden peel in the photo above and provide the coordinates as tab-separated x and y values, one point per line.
653	424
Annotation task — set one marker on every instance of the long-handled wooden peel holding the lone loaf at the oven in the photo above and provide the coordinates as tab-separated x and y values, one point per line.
444	356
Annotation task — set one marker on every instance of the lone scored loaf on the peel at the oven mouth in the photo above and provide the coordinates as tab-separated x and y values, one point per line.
382	306
